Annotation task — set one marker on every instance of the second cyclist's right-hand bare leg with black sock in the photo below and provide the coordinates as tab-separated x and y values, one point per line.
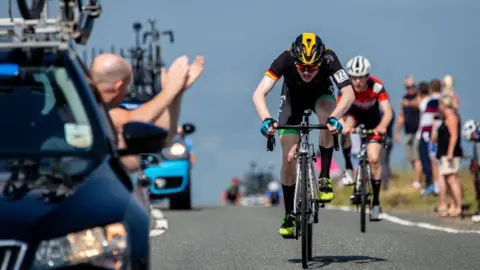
373	152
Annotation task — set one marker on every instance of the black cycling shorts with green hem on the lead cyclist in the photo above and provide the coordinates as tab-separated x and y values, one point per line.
292	105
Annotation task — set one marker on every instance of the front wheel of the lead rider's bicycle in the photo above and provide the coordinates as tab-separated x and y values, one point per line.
306	248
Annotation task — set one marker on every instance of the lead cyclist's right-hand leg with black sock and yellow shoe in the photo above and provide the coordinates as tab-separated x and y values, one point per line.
324	107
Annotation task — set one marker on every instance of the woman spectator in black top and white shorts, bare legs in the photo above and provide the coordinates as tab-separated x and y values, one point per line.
449	153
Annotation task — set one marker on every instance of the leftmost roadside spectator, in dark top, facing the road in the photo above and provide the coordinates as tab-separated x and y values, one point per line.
408	119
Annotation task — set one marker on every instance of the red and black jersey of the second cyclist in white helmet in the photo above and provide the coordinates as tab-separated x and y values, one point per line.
370	98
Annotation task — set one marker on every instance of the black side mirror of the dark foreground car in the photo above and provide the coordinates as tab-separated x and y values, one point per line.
142	138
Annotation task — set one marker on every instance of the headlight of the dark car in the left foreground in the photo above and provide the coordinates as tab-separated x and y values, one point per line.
100	246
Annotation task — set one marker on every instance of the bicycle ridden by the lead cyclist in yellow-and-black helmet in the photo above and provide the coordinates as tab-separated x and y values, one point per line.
307	197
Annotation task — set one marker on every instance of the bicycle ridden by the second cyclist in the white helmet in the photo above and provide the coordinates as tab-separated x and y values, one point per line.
363	178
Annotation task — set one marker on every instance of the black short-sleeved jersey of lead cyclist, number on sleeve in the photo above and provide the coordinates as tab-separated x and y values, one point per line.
330	66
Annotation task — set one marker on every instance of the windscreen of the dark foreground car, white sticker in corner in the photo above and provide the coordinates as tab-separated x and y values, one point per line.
42	112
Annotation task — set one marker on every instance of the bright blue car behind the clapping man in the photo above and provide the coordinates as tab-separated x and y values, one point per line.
170	172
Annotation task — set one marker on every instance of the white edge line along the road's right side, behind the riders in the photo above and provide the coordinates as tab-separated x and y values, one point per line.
404	222
